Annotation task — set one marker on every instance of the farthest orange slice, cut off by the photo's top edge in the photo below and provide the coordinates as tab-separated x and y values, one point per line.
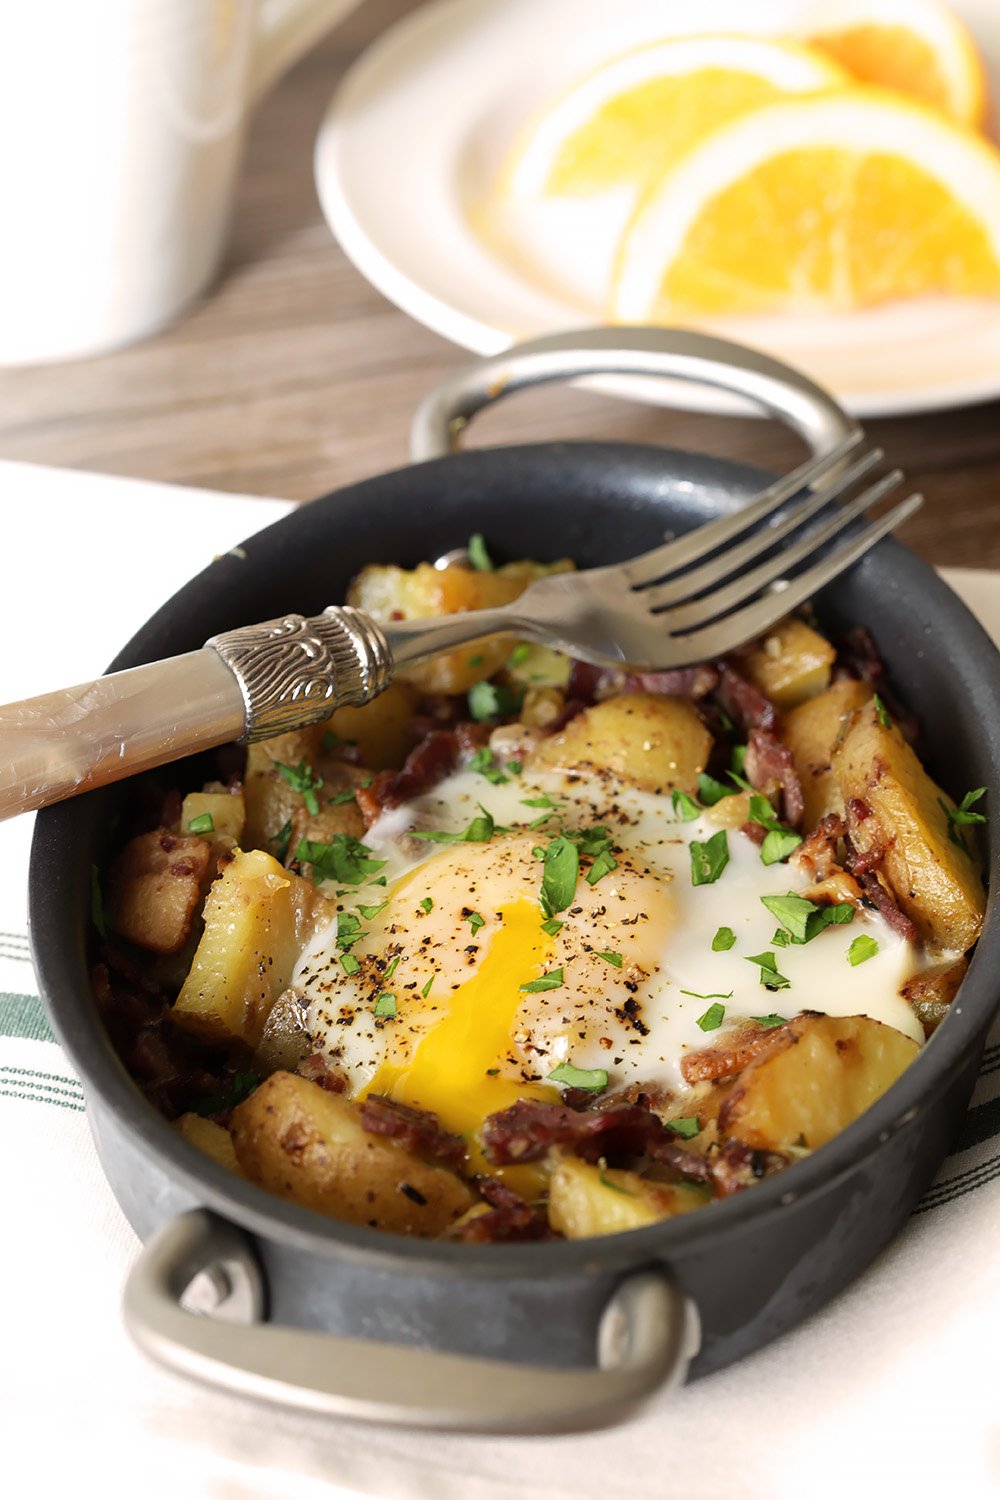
915	47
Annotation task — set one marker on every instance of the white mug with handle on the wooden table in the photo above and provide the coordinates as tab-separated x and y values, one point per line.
121	134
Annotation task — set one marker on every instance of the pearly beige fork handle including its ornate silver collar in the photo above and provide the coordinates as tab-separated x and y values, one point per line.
244	685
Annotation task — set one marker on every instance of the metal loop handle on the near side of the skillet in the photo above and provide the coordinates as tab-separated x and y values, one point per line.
647	1337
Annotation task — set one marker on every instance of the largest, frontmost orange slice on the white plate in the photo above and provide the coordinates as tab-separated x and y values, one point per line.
843	200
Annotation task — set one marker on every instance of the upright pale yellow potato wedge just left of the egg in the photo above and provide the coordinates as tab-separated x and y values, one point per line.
259	919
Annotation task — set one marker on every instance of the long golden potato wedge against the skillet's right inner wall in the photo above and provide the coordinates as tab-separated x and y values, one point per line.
933	880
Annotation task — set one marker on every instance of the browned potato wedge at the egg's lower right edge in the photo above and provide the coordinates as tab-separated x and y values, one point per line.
822	1073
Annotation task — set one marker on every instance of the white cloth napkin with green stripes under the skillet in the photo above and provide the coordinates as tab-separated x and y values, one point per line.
890	1391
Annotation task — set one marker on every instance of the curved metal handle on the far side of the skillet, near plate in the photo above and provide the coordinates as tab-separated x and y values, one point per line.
672	353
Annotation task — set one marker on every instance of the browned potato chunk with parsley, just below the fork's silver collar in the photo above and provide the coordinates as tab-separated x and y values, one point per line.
272	802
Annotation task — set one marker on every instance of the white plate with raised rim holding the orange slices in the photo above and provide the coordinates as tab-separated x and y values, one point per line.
421	124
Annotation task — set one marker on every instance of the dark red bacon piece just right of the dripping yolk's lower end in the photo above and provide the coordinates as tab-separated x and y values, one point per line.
528	1129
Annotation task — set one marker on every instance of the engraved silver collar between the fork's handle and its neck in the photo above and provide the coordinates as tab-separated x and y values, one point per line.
296	671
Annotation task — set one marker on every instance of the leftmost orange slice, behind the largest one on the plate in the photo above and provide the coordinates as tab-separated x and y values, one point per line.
623	124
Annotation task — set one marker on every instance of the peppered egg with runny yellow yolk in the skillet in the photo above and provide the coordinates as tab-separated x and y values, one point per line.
448	985
